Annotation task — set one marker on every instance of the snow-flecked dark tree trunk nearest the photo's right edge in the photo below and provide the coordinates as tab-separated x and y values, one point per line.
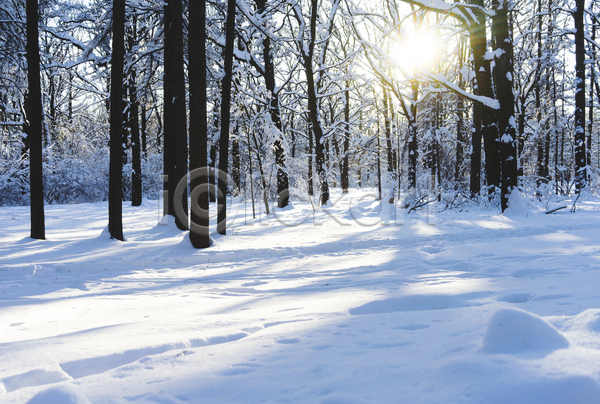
580	157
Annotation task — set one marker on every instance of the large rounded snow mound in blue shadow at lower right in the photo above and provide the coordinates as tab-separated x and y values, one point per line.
514	331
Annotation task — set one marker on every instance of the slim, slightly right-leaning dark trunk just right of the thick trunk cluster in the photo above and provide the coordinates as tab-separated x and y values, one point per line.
225	118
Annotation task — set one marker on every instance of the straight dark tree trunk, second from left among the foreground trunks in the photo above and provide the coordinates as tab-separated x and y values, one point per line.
115	191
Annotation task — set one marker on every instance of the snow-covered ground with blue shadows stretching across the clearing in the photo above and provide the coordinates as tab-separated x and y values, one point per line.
456	307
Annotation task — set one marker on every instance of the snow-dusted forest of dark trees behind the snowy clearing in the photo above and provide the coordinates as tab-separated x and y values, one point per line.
273	100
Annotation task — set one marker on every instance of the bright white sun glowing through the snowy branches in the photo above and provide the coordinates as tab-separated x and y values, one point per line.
416	51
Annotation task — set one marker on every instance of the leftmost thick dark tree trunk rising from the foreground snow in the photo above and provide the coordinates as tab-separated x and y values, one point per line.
34	130
